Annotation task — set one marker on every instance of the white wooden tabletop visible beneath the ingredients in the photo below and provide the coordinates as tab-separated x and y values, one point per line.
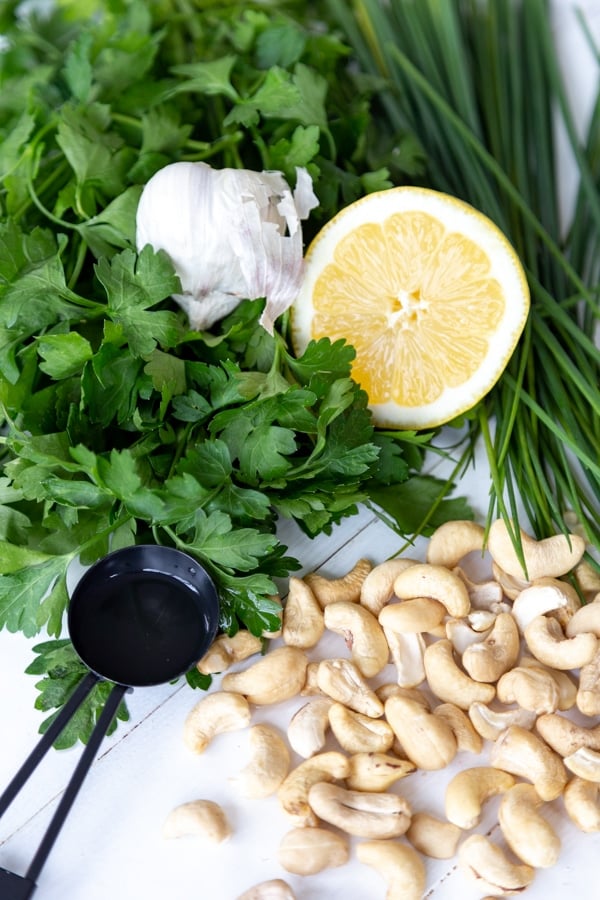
111	845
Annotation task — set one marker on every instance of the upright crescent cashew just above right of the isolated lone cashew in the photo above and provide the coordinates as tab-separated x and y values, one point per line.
268	766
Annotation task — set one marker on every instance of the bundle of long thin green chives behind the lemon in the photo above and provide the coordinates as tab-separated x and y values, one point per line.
479	84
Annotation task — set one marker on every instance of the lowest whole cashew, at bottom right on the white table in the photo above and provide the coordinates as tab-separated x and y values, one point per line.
488	866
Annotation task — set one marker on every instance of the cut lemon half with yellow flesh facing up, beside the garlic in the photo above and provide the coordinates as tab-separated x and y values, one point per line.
428	291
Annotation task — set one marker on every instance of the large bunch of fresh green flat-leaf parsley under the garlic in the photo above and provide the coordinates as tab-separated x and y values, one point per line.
120	424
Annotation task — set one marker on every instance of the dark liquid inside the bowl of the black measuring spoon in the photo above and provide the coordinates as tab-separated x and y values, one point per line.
139	628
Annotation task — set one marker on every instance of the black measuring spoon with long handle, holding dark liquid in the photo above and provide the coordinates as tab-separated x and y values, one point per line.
141	616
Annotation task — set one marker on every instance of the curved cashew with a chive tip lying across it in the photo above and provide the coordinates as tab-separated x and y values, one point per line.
553	556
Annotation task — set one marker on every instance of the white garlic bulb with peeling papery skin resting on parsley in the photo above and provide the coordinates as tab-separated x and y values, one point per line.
231	235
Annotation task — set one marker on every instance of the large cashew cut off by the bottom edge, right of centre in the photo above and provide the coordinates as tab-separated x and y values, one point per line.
398	864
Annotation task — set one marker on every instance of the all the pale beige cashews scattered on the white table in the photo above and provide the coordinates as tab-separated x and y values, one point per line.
508	666
